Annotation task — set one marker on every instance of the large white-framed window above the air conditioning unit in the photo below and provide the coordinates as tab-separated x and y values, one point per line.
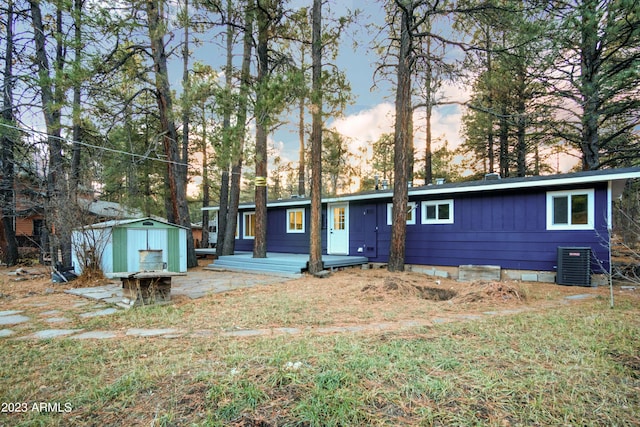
570	210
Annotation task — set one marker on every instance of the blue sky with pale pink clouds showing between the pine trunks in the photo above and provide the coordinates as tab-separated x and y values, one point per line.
372	112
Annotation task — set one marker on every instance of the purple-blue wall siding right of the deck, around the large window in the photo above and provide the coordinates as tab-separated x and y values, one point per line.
505	228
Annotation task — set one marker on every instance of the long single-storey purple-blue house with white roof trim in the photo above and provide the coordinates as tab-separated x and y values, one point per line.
517	224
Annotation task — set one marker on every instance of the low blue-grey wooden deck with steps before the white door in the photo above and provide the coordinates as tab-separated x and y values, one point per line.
281	263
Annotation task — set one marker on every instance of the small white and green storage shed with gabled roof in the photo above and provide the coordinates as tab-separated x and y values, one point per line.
119	242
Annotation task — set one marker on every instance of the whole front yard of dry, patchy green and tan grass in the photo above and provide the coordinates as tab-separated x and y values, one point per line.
552	363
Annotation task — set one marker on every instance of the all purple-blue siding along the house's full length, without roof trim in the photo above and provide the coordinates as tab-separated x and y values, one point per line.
505	228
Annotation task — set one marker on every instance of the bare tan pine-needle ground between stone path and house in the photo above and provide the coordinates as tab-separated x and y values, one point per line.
344	295
